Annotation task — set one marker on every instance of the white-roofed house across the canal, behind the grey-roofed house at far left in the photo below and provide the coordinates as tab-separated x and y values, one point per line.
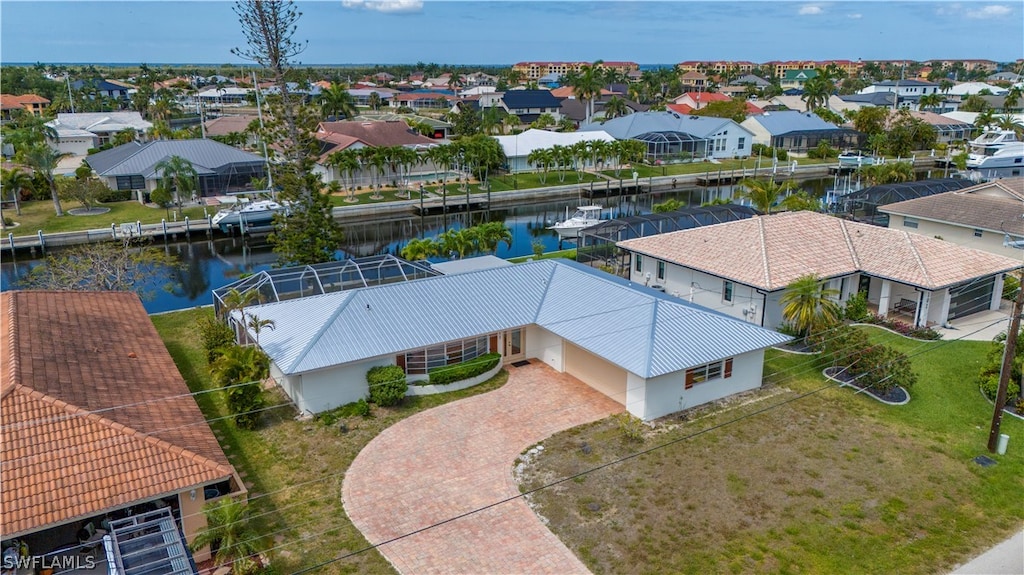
78	134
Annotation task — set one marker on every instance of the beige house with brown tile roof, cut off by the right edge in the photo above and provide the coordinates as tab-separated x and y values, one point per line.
985	217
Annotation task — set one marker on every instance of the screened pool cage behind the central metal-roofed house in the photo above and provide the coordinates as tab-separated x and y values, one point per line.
303	282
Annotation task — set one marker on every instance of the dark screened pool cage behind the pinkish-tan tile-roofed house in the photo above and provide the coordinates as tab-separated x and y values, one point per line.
598	244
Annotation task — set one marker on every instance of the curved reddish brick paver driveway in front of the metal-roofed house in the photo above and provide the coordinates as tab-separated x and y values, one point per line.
457	458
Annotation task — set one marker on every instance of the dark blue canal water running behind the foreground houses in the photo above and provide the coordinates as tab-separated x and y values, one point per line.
208	264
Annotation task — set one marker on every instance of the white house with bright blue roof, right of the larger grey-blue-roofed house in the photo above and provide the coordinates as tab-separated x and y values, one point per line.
799	131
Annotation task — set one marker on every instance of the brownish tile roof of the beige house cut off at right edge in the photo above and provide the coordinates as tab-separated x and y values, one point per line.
993	206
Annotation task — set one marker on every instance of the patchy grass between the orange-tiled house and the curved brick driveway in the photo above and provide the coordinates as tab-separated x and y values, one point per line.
300	465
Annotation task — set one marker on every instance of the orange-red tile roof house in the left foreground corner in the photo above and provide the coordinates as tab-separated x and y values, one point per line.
96	431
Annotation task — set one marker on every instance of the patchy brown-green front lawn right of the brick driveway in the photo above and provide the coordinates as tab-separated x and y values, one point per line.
830	483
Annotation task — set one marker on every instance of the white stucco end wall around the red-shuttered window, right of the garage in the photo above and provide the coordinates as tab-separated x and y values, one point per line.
667	394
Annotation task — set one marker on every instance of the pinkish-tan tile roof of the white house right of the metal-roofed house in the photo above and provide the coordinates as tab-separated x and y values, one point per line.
771	252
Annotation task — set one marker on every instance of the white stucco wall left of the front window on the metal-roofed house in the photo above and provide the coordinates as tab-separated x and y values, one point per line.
319	391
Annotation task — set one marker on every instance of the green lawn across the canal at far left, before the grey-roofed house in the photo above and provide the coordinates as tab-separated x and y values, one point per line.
39	215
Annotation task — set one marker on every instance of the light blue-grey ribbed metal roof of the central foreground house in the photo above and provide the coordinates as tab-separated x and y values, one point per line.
641	330
